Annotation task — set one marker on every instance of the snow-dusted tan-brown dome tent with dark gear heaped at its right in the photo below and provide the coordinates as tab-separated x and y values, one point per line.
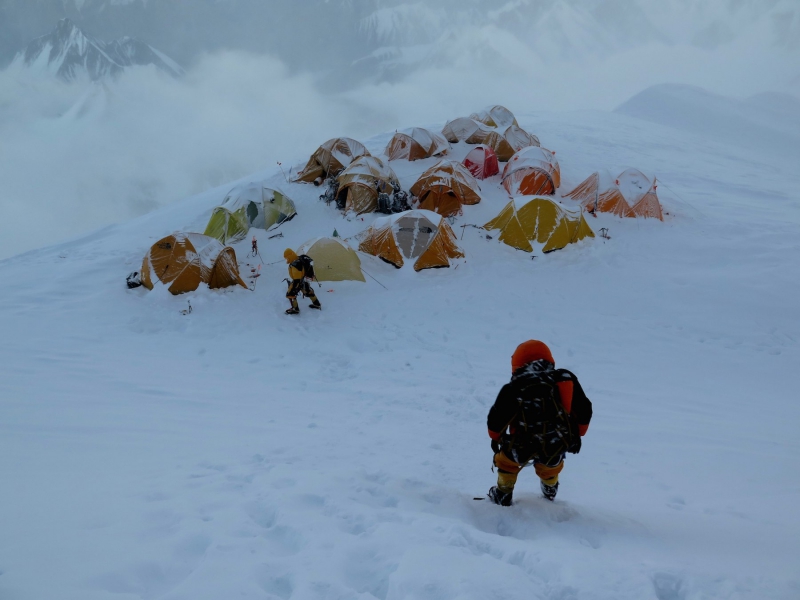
359	184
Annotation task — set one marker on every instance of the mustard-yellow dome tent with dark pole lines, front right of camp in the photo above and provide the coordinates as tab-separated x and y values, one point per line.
524	220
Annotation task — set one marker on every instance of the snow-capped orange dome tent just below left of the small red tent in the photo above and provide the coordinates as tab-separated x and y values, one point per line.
445	187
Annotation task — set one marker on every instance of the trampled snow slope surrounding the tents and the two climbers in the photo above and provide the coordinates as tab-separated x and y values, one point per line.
237	452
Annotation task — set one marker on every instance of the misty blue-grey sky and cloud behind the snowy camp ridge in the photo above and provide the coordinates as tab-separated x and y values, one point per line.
78	156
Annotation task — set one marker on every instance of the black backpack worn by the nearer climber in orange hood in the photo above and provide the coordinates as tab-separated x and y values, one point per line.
542	428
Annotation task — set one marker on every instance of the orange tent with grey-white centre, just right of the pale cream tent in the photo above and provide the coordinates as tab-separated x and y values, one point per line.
418	234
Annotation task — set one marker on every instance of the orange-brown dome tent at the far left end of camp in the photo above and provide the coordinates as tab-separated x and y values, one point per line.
185	260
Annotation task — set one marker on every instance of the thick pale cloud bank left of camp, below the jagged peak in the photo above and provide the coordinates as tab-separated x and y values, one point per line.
74	157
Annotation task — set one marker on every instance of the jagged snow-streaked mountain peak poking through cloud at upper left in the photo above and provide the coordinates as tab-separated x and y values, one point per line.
68	53
